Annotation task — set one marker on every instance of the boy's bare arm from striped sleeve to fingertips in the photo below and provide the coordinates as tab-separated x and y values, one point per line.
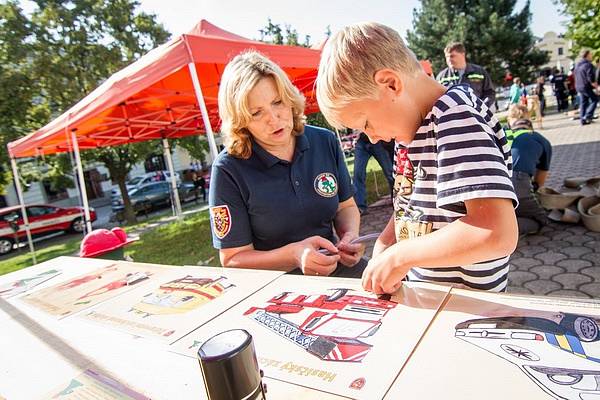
488	231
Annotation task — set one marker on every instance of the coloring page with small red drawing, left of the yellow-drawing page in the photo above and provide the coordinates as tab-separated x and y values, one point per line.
87	290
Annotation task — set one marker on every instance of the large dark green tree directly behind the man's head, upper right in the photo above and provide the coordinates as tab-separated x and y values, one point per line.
496	36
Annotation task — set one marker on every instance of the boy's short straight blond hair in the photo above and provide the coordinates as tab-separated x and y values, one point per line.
351	58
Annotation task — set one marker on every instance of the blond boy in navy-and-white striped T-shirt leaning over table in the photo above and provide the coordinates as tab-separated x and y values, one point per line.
454	220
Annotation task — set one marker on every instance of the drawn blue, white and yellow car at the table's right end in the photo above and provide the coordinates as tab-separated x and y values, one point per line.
559	352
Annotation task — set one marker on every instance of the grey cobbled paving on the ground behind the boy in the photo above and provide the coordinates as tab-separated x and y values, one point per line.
563	259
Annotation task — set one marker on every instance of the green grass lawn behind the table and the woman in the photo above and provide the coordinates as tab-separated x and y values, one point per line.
185	242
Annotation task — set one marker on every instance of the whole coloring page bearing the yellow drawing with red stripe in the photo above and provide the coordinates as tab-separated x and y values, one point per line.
181	301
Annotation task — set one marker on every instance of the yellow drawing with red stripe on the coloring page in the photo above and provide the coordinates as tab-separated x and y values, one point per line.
181	295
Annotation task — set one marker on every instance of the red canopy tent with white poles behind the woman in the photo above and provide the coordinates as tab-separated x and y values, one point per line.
165	94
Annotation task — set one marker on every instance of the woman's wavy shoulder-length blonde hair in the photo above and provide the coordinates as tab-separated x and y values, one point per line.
239	77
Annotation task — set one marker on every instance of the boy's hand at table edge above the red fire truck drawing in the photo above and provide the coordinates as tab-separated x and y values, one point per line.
382	276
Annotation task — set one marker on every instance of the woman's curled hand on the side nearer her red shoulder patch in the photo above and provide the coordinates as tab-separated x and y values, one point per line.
310	260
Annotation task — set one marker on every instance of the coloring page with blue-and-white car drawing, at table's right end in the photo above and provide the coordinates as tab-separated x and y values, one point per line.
535	348
